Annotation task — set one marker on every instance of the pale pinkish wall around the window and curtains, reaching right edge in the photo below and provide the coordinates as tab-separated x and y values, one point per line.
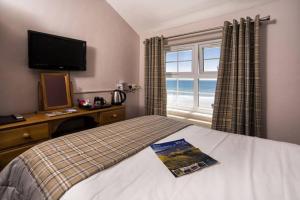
280	59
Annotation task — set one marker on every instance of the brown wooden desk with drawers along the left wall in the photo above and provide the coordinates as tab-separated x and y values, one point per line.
18	137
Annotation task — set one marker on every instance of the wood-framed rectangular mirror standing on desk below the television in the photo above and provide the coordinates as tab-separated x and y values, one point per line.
56	92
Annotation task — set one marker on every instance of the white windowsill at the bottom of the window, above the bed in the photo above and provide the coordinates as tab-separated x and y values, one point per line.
190	116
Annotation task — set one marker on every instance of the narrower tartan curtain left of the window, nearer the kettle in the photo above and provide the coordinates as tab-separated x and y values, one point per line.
155	78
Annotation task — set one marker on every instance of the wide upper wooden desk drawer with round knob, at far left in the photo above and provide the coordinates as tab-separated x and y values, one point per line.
24	135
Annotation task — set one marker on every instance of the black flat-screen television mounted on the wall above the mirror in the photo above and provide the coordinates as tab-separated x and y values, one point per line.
52	52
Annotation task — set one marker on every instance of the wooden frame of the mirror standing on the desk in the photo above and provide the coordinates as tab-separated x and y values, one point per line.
44	91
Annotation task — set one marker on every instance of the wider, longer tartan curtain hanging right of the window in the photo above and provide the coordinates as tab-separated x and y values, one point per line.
237	106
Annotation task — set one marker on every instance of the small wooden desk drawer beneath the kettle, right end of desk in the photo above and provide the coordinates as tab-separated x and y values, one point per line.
112	116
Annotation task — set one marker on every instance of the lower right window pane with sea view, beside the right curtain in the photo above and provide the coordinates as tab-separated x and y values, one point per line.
207	89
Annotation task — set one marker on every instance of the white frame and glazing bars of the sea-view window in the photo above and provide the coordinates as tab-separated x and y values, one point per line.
196	74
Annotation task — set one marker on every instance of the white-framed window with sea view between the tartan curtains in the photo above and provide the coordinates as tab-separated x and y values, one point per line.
191	78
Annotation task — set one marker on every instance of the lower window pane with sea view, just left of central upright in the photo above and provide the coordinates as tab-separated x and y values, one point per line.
185	92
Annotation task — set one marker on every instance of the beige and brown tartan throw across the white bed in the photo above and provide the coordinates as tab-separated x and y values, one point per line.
60	163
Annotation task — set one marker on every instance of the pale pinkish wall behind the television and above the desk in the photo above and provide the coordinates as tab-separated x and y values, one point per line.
112	53
